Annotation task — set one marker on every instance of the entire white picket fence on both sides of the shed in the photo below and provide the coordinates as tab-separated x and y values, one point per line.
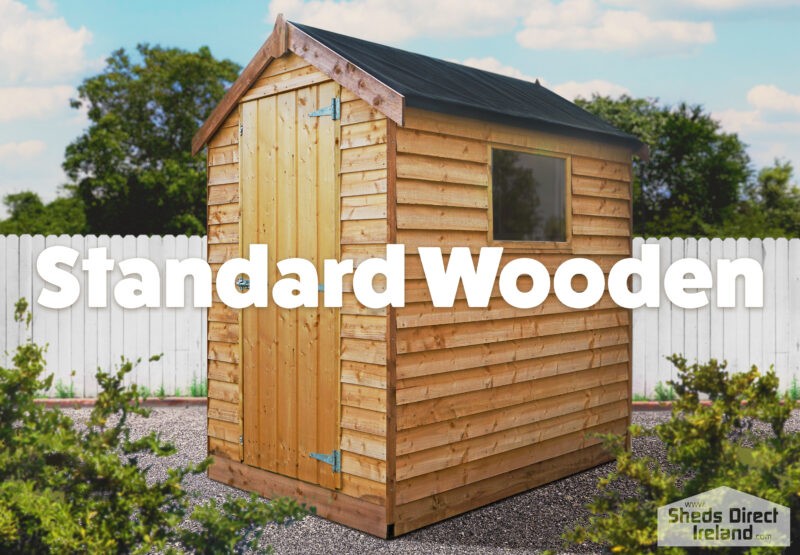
81	339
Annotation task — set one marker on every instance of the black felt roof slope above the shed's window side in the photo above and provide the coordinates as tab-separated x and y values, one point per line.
442	86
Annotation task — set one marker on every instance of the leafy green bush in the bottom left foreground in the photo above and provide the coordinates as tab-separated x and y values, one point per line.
68	489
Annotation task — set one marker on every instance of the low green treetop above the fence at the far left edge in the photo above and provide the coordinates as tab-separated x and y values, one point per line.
28	214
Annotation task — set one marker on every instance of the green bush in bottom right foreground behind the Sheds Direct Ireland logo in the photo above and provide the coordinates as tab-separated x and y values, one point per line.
707	446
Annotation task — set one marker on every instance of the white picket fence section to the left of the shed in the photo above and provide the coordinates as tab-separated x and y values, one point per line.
81	339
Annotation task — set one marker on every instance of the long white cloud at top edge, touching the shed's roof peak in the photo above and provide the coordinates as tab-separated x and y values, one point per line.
392	21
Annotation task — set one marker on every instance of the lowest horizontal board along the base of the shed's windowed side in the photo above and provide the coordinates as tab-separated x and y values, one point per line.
432	509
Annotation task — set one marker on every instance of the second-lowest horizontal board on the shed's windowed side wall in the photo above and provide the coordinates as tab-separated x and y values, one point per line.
474	471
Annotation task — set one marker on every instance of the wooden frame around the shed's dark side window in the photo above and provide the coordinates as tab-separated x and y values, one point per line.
524	245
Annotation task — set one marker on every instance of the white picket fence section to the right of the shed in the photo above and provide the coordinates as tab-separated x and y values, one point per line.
742	336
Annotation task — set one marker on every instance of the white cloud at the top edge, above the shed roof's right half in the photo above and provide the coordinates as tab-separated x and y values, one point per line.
593	25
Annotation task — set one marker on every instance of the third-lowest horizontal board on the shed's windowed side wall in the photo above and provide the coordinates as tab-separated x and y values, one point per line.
473	449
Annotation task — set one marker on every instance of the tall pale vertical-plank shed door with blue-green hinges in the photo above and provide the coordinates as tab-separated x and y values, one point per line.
289	200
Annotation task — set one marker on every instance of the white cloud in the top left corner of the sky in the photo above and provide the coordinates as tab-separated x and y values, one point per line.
37	47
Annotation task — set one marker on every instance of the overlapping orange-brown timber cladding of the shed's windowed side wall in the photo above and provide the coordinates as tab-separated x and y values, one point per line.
491	401
